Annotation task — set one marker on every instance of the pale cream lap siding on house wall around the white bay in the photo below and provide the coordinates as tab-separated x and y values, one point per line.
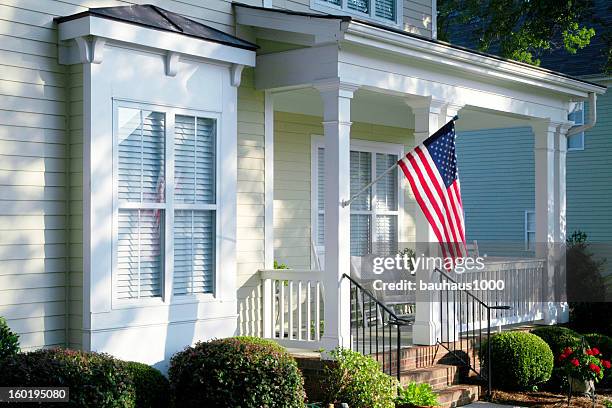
40	187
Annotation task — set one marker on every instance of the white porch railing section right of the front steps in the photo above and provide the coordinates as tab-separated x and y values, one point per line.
523	280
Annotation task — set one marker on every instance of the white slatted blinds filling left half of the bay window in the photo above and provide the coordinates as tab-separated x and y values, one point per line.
140	169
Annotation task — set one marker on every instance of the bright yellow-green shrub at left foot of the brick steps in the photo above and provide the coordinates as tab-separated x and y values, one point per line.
357	380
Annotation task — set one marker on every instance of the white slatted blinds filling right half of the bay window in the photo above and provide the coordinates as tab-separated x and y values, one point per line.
194	228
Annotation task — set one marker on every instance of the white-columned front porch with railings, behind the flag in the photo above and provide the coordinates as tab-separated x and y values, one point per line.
366	96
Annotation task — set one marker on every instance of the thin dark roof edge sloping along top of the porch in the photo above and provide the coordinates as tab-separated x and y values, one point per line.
455	45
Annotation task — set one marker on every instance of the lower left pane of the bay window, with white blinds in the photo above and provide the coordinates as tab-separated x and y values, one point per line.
139	254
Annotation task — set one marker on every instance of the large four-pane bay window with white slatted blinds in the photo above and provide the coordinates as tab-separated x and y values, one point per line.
157	219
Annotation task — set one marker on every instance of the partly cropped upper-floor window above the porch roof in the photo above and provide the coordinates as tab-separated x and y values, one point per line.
384	11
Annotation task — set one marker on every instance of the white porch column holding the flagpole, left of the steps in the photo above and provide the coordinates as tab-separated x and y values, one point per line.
336	98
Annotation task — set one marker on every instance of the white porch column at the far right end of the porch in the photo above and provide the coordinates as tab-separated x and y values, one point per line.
550	152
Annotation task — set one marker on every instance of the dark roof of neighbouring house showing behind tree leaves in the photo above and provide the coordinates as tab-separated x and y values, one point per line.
590	60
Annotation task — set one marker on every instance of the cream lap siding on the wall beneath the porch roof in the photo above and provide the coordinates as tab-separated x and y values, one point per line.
292	182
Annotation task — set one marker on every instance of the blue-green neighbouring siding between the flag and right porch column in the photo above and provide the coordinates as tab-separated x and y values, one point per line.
496	169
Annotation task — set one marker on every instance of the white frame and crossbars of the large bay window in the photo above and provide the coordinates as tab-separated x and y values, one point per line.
169	207
